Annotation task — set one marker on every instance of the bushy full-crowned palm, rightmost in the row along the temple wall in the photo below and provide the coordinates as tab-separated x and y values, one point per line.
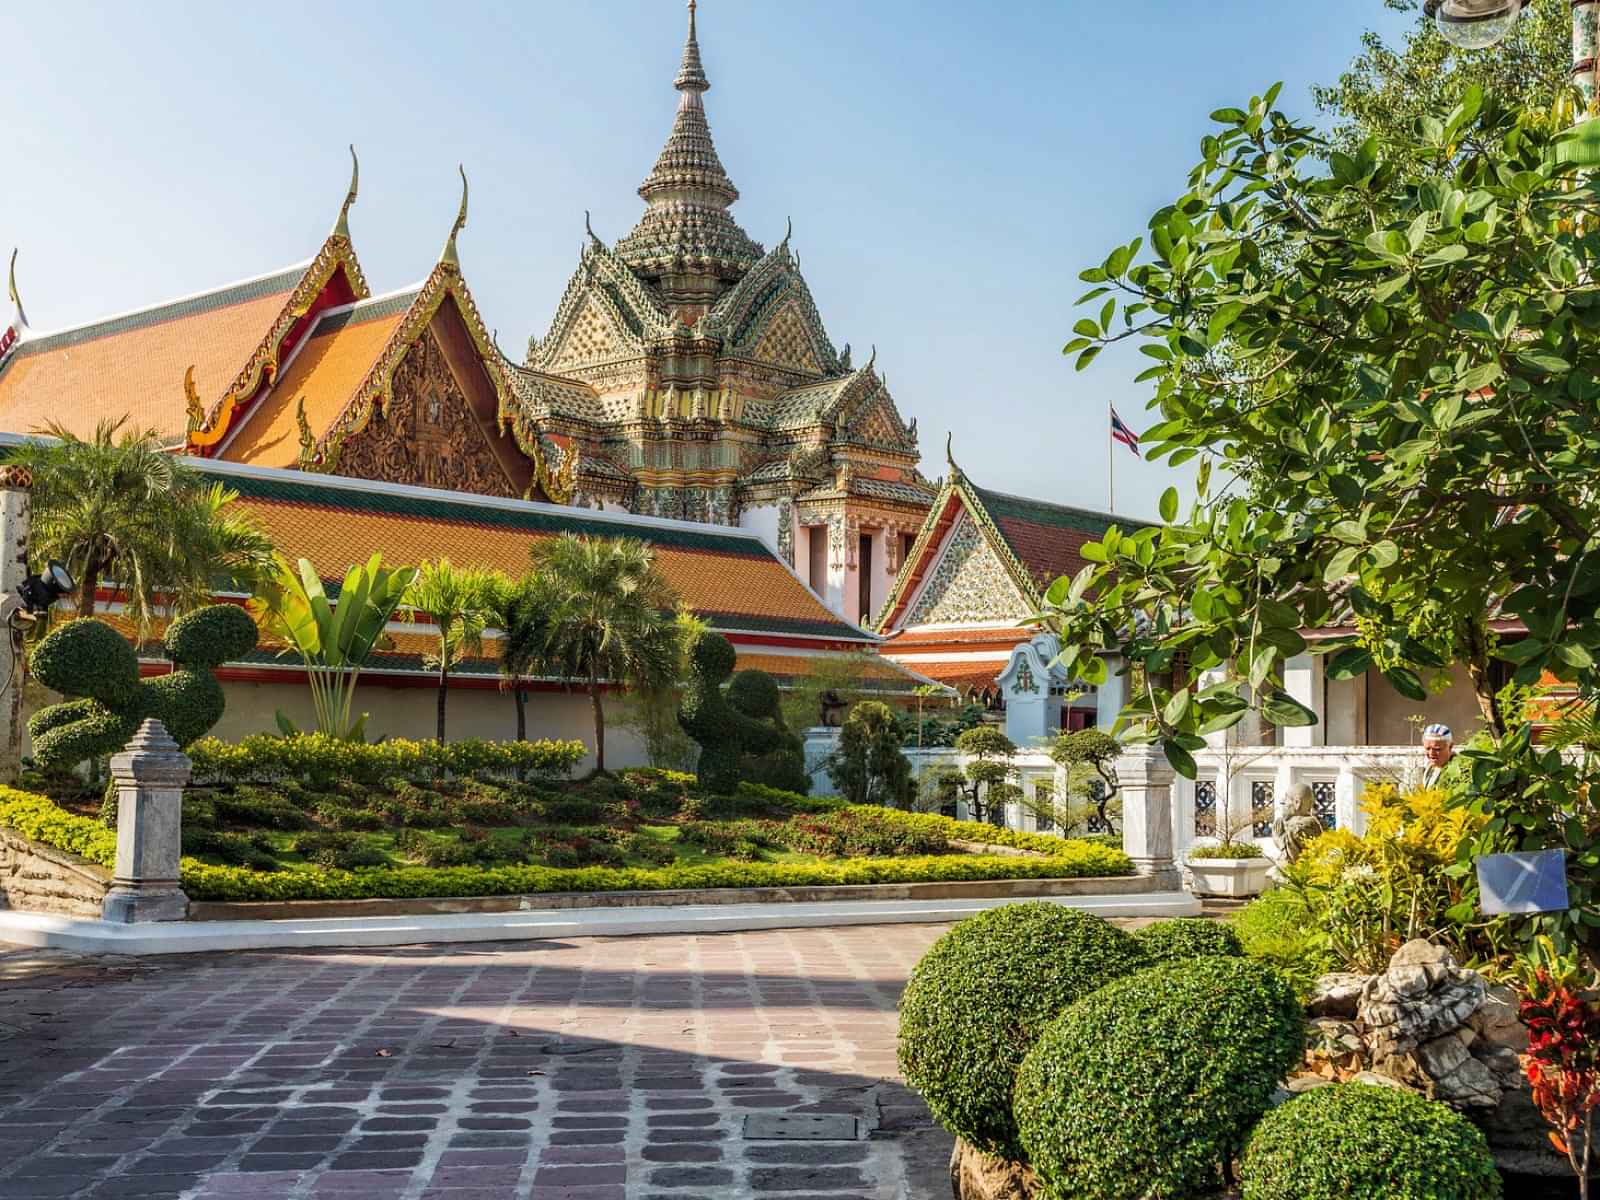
610	618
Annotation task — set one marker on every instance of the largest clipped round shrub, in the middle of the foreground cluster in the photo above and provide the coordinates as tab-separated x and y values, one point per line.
1151	1086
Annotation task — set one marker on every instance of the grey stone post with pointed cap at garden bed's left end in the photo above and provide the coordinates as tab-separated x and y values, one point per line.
151	775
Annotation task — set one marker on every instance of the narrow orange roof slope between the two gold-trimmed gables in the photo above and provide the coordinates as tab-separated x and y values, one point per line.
326	372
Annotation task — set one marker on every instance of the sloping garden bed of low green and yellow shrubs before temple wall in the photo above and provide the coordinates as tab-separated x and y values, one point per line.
388	823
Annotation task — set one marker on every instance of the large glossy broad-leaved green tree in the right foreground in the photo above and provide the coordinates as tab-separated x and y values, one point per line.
1406	418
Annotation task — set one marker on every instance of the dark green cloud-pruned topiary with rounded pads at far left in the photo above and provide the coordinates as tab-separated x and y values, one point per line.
92	662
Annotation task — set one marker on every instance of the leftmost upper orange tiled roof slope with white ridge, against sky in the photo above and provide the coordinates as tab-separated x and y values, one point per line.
135	364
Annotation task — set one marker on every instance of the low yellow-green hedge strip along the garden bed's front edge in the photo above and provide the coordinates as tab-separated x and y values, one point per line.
234	884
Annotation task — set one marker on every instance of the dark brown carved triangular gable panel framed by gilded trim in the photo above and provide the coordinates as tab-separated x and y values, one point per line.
426	436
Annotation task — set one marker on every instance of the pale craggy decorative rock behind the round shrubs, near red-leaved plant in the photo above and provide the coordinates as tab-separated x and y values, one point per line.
1420	998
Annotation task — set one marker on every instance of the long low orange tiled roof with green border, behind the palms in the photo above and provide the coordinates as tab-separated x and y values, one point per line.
730	578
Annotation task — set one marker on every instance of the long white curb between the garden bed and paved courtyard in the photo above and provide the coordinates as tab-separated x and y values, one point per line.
95	937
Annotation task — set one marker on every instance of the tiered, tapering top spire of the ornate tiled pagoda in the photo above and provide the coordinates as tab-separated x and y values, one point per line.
687	242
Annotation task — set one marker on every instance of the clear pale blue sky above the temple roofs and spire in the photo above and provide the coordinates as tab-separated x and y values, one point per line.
950	167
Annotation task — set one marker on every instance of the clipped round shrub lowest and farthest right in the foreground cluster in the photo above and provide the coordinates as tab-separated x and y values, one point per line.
1356	1142
